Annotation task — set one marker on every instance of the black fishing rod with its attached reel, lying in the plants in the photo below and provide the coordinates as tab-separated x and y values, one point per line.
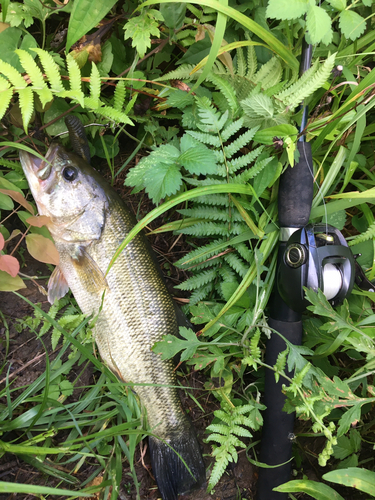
312	256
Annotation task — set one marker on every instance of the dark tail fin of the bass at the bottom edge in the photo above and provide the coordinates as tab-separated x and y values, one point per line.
172	476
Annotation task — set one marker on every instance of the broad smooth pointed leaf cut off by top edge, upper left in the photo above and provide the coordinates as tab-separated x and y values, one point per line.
85	16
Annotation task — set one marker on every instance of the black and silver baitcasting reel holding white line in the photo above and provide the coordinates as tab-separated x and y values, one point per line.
316	256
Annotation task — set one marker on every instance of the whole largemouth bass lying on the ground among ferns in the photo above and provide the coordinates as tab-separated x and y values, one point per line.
132	306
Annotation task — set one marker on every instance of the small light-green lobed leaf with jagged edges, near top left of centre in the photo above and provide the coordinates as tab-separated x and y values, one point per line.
140	29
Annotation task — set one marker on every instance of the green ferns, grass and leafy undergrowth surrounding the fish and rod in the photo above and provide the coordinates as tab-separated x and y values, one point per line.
196	107
